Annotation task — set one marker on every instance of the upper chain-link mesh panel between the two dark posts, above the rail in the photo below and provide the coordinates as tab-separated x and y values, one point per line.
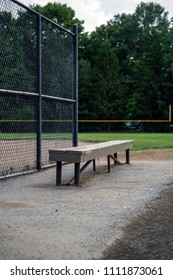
57	62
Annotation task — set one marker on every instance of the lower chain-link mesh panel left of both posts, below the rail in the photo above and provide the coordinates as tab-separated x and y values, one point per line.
18	138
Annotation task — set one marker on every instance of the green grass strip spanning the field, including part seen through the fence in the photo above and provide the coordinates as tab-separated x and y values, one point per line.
141	140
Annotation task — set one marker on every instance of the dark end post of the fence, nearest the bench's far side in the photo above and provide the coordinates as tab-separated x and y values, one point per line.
75	87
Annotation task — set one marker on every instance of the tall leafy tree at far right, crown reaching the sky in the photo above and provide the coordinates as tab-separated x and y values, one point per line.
149	67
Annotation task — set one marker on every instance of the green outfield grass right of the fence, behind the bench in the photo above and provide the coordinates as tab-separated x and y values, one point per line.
141	140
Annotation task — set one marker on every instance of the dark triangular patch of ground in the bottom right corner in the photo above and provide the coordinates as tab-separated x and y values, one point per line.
149	235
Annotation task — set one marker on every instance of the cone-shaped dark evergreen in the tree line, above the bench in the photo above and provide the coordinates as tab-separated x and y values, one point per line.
106	92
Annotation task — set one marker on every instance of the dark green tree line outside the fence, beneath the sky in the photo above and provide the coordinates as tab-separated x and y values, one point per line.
125	65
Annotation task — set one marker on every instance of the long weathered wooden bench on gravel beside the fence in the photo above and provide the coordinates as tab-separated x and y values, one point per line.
87	154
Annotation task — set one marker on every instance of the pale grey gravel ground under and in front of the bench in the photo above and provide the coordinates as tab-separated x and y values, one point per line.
41	221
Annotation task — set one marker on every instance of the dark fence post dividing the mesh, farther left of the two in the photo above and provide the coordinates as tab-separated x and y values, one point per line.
39	90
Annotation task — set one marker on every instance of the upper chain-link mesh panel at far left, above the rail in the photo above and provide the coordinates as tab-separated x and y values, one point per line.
18	44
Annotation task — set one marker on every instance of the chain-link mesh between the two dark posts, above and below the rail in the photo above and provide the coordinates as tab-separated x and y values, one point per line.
57	80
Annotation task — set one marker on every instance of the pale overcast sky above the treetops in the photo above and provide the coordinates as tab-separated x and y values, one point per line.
97	12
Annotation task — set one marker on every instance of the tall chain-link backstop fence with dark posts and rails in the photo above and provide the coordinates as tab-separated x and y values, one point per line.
38	88
